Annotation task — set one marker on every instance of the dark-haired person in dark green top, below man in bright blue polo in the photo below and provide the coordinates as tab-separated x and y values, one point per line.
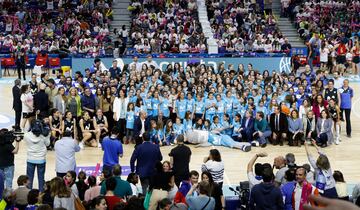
122	189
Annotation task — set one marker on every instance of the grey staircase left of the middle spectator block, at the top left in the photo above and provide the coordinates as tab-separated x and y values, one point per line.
121	15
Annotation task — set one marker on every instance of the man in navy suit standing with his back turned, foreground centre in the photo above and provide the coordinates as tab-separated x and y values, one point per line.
146	156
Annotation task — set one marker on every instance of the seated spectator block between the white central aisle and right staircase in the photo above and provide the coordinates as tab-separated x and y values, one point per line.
244	26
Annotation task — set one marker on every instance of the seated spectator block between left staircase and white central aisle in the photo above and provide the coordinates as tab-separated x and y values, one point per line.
166	26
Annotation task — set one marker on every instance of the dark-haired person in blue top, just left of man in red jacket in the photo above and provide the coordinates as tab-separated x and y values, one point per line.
287	188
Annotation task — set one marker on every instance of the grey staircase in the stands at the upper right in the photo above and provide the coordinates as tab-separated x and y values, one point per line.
286	27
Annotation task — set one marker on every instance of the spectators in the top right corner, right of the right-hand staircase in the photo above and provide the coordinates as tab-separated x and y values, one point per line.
331	30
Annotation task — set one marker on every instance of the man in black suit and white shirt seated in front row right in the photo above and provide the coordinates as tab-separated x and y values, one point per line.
279	126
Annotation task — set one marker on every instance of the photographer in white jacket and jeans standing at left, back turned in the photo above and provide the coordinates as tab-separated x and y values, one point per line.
37	140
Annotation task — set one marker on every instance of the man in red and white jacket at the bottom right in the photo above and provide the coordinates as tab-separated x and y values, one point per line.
303	190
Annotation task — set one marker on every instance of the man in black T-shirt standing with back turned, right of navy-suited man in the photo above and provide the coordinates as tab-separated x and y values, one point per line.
180	159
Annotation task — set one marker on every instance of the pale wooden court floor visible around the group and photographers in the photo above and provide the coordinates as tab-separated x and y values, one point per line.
344	157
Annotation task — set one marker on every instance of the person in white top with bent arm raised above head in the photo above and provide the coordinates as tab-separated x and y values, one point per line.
256	178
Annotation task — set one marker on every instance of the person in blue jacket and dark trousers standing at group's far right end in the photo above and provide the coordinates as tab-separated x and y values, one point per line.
346	95
